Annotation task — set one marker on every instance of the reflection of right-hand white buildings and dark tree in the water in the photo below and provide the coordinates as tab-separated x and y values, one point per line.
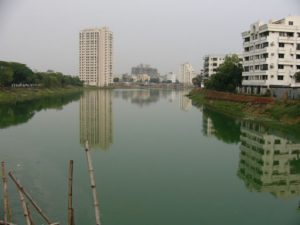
269	159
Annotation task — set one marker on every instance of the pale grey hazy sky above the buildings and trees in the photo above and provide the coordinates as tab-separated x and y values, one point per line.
44	34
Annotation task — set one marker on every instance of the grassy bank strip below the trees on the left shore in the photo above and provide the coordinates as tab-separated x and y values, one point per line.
13	95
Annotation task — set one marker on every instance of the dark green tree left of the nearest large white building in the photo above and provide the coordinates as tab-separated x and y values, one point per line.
228	76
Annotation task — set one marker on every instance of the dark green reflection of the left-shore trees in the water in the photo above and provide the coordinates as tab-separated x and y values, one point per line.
22	112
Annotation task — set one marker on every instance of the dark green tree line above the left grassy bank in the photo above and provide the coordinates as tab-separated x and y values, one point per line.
18	74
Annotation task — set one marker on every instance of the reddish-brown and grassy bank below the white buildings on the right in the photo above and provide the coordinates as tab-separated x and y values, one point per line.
264	109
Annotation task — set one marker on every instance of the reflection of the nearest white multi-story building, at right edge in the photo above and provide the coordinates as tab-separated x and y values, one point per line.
268	162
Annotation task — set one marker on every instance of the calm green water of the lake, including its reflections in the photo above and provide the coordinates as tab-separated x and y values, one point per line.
158	160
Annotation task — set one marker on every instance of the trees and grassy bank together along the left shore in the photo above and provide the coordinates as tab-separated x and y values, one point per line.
19	83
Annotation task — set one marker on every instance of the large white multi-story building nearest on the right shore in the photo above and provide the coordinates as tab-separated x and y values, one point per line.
271	55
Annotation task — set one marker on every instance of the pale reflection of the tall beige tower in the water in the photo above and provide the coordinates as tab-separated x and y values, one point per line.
96	119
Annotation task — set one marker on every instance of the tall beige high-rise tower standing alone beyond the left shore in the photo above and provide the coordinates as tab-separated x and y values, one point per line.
96	56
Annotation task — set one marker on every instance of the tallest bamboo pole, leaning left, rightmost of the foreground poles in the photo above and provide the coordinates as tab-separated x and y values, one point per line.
93	183
